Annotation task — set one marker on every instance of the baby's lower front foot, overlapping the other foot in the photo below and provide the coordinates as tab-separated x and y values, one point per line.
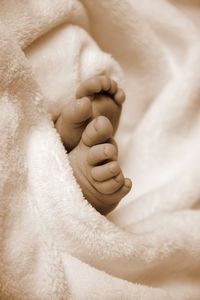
96	169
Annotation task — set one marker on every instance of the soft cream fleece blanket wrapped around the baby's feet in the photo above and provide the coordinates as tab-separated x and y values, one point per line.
53	244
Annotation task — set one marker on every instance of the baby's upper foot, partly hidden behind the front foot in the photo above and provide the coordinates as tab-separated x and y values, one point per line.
98	96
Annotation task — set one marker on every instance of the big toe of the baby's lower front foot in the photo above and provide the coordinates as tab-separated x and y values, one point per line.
97	131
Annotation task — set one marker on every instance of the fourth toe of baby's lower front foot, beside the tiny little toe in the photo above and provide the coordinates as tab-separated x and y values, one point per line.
110	186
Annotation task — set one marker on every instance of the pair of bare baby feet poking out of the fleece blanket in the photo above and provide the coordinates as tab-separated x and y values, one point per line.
86	127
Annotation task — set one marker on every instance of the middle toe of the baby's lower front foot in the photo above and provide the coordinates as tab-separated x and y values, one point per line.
106	171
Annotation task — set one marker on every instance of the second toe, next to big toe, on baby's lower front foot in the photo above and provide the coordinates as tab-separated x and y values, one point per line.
100	153
